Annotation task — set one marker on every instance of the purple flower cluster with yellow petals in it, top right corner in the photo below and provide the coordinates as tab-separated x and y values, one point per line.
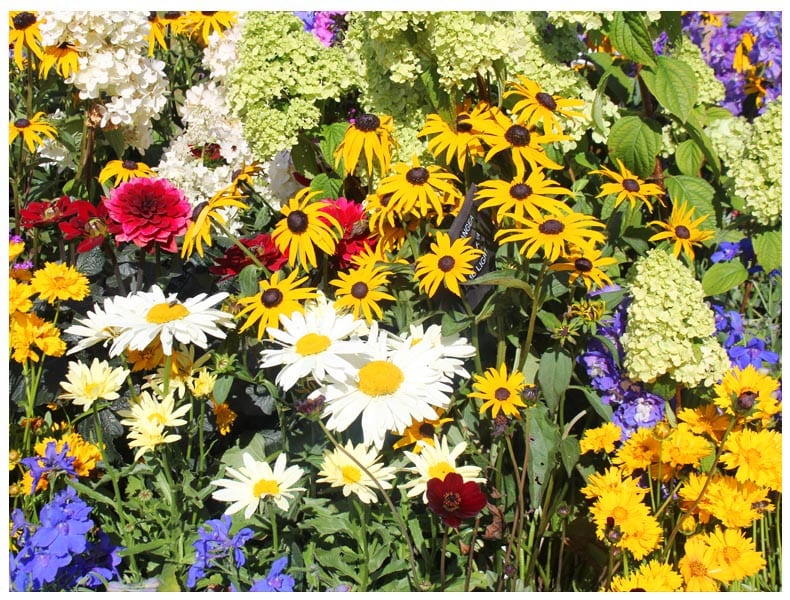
759	37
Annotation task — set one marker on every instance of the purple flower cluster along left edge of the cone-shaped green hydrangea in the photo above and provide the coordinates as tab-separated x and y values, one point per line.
633	406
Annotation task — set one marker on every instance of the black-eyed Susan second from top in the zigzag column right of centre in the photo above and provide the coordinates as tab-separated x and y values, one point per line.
525	145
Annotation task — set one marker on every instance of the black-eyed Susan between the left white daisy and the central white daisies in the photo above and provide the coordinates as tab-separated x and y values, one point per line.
275	298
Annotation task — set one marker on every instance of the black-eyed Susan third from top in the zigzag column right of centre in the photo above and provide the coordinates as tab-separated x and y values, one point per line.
523	196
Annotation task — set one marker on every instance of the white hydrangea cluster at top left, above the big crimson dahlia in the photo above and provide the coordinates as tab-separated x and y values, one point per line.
113	63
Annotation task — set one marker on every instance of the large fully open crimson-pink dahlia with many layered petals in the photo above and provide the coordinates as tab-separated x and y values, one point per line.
149	212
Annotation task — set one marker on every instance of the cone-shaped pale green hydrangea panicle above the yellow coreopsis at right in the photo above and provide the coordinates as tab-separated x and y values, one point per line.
670	329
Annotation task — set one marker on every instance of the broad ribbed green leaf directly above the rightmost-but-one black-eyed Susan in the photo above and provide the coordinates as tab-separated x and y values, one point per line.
637	142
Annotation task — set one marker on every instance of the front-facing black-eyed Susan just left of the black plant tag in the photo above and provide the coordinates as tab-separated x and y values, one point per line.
448	263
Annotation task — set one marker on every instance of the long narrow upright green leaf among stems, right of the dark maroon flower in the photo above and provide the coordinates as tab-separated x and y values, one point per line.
544	442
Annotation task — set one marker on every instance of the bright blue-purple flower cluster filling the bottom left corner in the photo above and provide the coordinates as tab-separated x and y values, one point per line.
62	552
